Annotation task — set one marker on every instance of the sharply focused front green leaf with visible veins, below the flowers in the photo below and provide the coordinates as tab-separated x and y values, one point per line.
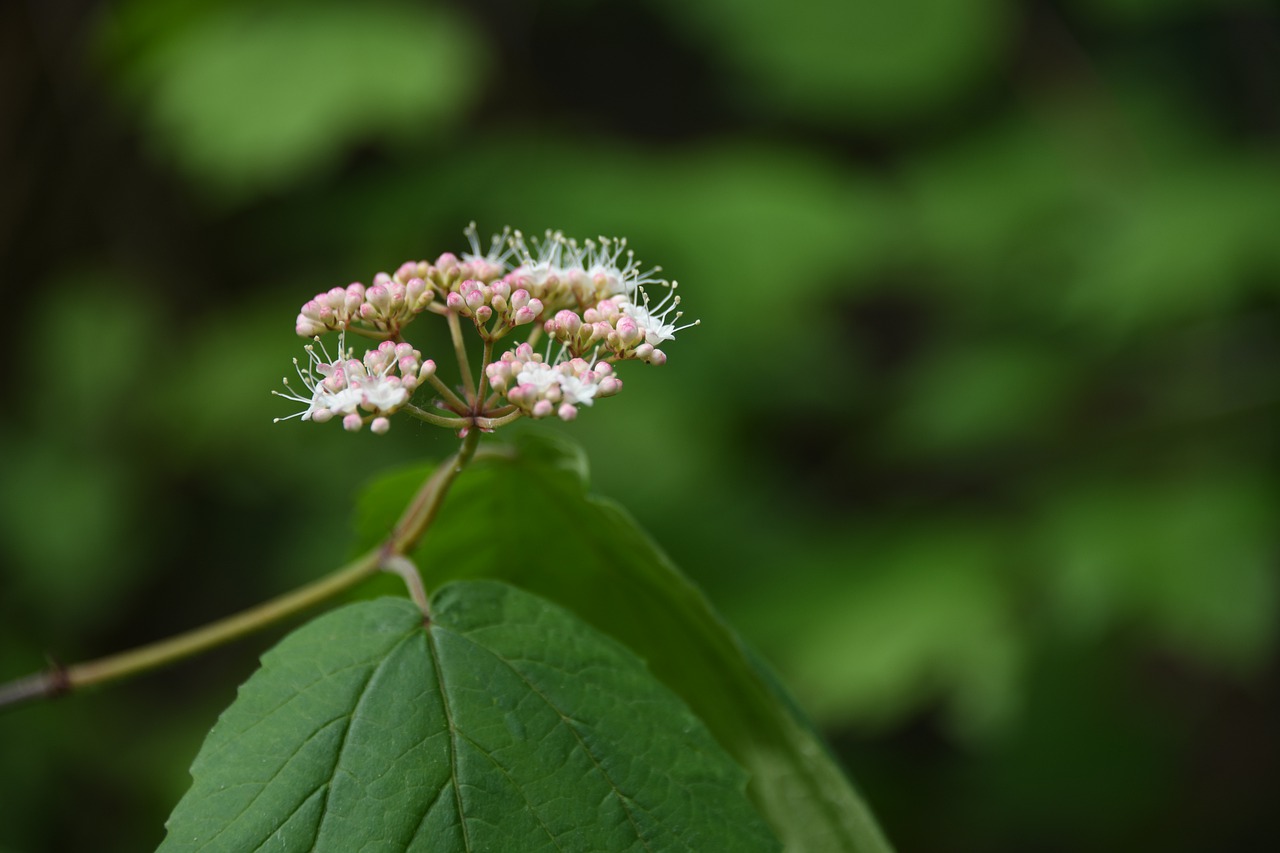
504	724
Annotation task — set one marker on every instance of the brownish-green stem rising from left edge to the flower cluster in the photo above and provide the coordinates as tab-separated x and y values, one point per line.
390	556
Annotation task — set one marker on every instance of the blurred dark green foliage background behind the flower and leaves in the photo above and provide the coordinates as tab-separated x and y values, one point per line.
977	443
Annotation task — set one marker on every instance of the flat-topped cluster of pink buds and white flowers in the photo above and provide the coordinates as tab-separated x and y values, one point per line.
592	299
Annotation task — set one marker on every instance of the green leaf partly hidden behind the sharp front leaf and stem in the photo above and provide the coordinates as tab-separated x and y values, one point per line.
523	516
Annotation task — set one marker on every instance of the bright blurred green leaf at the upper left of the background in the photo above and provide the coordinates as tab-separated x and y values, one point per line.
230	92
